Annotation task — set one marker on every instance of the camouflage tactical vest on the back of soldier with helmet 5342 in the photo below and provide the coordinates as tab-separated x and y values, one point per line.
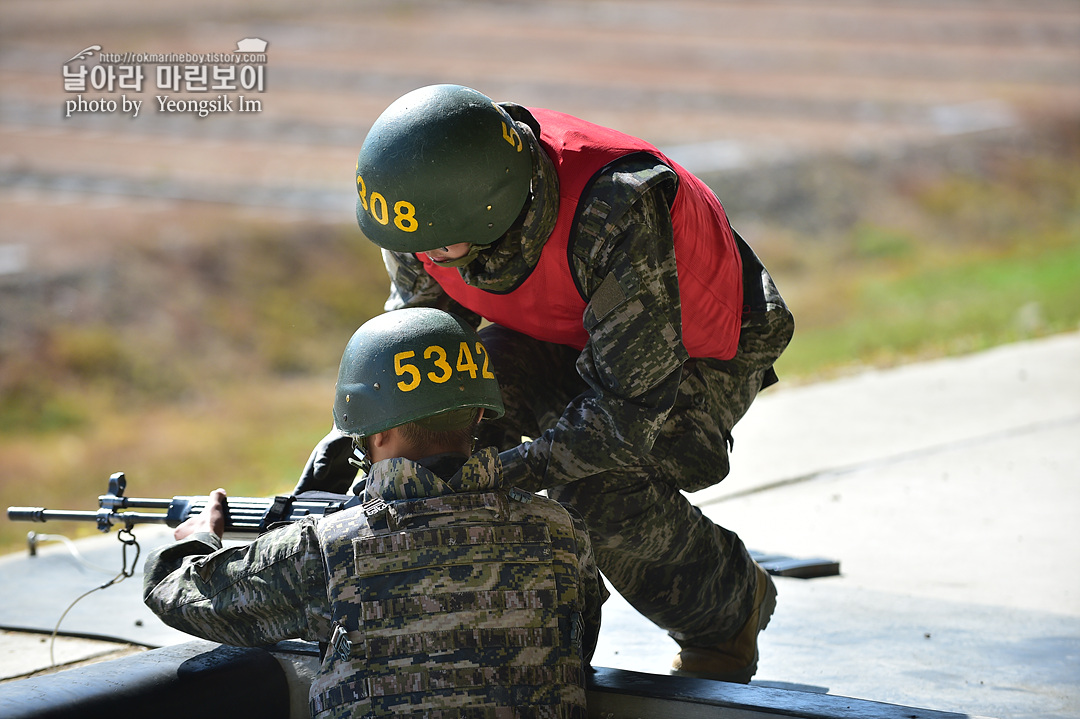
452	607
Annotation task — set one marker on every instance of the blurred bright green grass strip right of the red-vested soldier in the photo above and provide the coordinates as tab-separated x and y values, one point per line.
966	306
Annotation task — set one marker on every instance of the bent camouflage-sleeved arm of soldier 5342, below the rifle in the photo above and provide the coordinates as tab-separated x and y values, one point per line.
272	590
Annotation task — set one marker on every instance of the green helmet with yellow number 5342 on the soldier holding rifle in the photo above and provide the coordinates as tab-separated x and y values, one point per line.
412	365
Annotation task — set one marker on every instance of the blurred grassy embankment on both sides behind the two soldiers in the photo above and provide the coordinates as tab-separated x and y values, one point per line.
214	367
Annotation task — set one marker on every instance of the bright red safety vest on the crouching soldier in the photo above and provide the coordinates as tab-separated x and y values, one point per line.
548	306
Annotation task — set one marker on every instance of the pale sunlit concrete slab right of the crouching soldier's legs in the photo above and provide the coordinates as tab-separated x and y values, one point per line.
949	492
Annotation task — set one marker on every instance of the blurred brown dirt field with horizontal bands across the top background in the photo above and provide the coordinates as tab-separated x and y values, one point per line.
721	85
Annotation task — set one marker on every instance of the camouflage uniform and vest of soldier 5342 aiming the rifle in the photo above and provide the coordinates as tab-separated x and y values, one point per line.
442	599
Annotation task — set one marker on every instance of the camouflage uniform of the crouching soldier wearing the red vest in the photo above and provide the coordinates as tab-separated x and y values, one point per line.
622	428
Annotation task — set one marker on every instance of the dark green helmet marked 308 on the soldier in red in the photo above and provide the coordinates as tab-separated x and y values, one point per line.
443	165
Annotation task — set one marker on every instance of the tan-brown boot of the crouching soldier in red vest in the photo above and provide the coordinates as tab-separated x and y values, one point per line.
737	660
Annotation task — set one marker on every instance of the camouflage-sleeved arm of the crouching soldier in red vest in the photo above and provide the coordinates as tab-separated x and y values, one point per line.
624	260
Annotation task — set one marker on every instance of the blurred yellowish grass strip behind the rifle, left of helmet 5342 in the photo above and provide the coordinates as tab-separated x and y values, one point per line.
252	439
